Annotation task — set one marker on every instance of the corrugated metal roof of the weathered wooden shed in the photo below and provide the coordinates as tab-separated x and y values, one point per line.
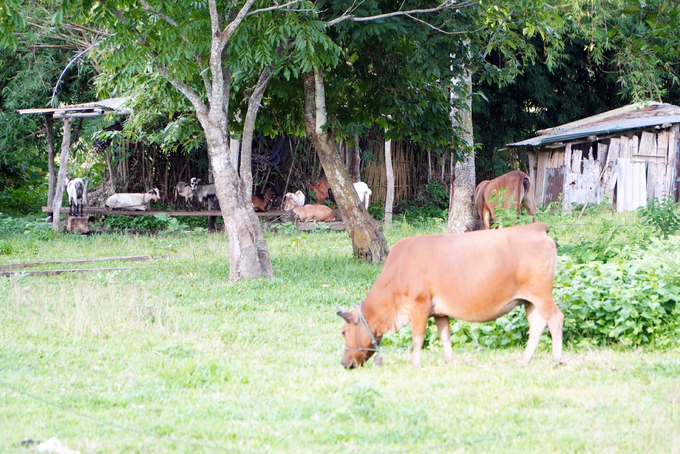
634	116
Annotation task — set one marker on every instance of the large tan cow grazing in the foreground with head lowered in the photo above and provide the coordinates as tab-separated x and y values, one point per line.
476	277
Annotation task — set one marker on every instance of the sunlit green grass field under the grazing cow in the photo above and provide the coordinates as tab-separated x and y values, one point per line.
173	357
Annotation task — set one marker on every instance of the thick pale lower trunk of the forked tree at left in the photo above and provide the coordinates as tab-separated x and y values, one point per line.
248	253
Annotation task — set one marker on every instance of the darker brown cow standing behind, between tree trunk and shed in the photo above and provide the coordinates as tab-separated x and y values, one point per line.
517	184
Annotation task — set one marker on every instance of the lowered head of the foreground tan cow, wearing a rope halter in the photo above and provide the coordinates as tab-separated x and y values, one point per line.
360	343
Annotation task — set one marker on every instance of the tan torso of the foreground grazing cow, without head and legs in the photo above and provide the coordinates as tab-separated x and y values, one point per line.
472	276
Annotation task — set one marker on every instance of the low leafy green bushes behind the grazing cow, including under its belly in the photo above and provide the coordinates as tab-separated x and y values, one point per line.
629	301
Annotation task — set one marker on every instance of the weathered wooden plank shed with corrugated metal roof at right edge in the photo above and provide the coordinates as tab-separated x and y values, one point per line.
625	157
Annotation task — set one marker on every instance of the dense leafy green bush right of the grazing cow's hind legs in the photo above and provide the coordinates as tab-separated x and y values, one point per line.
630	303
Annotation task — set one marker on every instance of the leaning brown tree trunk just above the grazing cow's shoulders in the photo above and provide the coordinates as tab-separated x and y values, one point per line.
368	241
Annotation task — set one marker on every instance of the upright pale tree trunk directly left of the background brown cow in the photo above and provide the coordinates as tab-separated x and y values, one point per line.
463	172
